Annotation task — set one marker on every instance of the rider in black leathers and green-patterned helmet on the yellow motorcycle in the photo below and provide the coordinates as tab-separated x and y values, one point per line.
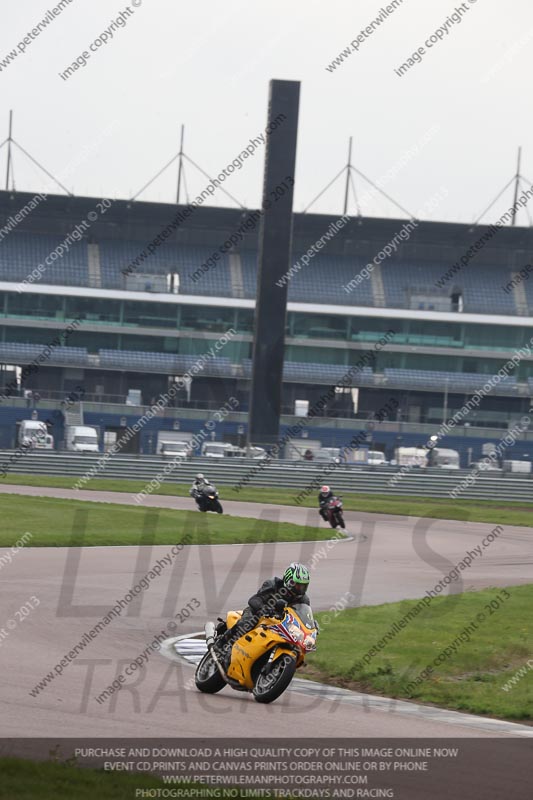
270	599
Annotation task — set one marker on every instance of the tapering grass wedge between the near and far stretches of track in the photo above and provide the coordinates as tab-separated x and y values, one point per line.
54	523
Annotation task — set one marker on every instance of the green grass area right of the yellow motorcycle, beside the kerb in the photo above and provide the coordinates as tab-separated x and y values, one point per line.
355	651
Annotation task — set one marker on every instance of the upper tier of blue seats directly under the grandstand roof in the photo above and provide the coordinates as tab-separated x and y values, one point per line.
322	280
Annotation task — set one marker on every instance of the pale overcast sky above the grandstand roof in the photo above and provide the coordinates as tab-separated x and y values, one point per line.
115	122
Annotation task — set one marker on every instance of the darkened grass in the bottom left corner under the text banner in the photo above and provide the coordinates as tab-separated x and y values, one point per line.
49	780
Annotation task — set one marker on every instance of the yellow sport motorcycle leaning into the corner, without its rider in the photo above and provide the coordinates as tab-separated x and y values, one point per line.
262	661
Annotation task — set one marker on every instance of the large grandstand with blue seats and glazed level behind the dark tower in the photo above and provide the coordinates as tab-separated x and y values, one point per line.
147	317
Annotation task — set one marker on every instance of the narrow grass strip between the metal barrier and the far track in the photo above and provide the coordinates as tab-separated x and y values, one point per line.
495	511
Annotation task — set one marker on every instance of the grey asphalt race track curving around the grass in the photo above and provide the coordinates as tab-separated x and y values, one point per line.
388	558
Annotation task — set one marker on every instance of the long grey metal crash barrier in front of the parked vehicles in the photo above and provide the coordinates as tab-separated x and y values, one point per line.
371	480
